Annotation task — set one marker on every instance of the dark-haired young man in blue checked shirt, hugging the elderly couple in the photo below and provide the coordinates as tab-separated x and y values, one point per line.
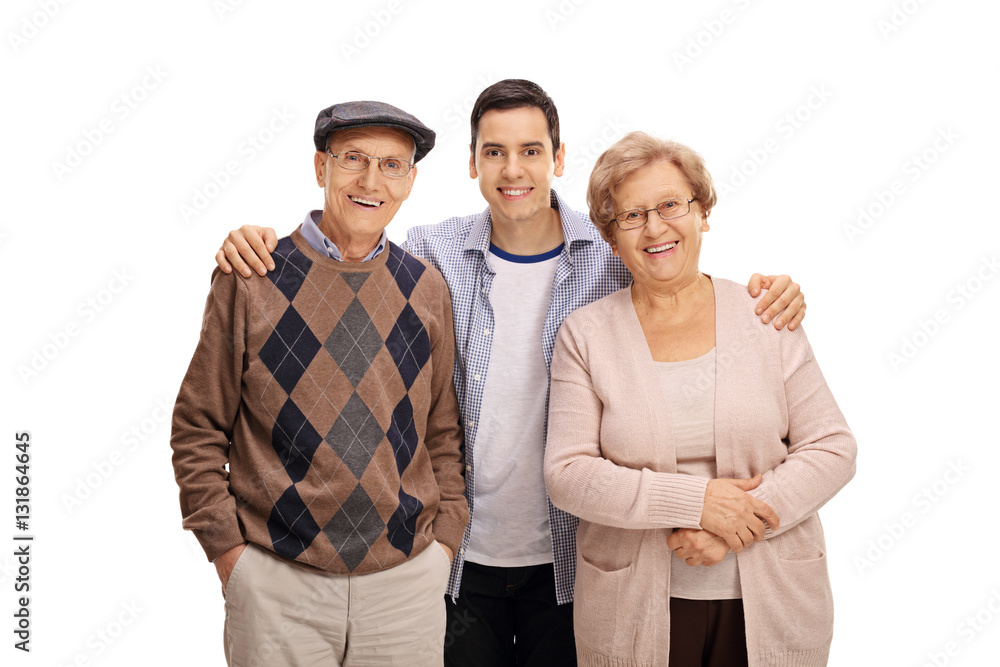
515	271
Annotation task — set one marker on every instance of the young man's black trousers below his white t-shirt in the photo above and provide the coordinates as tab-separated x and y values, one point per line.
508	616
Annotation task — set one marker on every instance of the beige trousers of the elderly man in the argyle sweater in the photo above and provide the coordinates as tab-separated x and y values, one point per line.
280	615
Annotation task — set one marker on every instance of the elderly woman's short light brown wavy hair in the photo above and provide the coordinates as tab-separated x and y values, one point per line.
630	154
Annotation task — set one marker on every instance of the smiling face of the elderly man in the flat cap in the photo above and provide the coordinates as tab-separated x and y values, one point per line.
359	204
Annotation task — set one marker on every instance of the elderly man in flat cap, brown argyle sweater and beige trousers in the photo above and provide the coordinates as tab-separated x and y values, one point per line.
315	436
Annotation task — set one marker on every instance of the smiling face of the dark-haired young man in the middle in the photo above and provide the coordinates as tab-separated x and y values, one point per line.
515	164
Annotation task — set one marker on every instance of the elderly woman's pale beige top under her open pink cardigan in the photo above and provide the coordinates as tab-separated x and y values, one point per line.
689	387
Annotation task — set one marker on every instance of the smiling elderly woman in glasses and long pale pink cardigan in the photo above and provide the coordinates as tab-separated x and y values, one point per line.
695	444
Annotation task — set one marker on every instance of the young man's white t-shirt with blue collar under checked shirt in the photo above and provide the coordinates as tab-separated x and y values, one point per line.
510	526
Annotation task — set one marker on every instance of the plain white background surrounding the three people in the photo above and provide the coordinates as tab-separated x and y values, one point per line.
109	548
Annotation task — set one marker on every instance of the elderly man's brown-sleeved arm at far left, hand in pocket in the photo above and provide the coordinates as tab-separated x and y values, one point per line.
204	413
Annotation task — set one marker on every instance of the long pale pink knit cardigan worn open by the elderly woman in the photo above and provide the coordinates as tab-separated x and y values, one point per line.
610	460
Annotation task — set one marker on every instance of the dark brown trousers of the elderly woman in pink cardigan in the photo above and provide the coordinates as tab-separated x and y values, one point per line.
707	633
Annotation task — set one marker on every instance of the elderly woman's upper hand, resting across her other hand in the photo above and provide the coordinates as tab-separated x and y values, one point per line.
734	515
